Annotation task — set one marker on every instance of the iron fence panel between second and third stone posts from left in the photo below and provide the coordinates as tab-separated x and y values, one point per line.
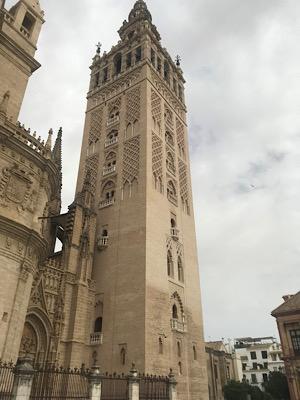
114	387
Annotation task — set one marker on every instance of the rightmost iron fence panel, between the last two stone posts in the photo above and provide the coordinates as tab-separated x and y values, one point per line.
154	387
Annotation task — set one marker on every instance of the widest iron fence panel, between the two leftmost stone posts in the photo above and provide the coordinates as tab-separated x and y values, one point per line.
60	384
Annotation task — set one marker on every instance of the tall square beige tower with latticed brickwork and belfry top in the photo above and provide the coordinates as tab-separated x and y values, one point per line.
147	305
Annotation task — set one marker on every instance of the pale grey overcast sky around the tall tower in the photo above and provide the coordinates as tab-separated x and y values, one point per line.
242	65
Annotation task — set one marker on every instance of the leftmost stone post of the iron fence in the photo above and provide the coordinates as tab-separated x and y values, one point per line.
23	379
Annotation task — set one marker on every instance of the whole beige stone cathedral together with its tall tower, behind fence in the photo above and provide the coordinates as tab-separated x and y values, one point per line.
125	286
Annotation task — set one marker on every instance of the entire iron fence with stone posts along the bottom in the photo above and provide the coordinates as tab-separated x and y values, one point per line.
50	383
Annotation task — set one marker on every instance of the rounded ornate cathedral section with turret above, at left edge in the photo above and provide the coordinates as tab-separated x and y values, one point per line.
30	179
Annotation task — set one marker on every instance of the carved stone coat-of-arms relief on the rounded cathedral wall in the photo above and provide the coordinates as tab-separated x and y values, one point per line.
16	187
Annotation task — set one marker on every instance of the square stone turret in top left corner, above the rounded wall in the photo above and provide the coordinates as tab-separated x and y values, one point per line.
19	32
